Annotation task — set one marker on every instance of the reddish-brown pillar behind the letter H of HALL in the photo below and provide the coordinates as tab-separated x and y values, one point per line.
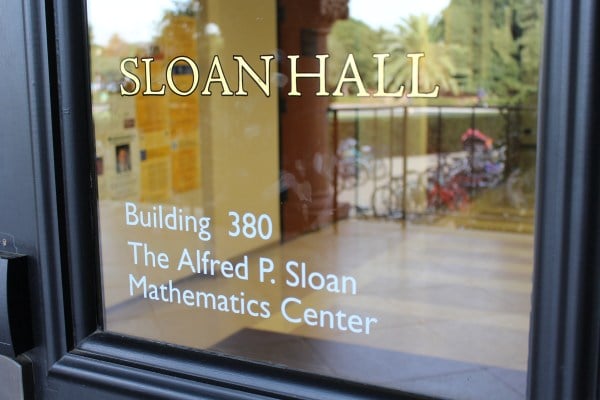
306	151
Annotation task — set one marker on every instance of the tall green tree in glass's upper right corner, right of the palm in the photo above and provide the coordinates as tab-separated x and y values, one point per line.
501	42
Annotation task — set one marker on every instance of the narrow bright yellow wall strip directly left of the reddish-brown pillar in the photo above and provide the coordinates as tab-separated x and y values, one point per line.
240	160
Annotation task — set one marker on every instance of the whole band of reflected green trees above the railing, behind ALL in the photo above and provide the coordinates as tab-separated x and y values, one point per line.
487	47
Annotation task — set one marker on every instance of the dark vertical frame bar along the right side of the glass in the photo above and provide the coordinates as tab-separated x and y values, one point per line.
565	321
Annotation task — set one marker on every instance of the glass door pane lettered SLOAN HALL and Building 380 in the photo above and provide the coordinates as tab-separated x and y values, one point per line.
339	187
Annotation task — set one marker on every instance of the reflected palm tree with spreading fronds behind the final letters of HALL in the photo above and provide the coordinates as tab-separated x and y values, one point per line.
416	35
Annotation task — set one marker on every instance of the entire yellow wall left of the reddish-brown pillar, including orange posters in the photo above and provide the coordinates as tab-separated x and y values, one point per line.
235	146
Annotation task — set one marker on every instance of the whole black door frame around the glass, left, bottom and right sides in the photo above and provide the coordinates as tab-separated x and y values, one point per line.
48	205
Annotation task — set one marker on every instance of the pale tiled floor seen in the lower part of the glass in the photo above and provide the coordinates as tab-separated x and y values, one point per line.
453	309
